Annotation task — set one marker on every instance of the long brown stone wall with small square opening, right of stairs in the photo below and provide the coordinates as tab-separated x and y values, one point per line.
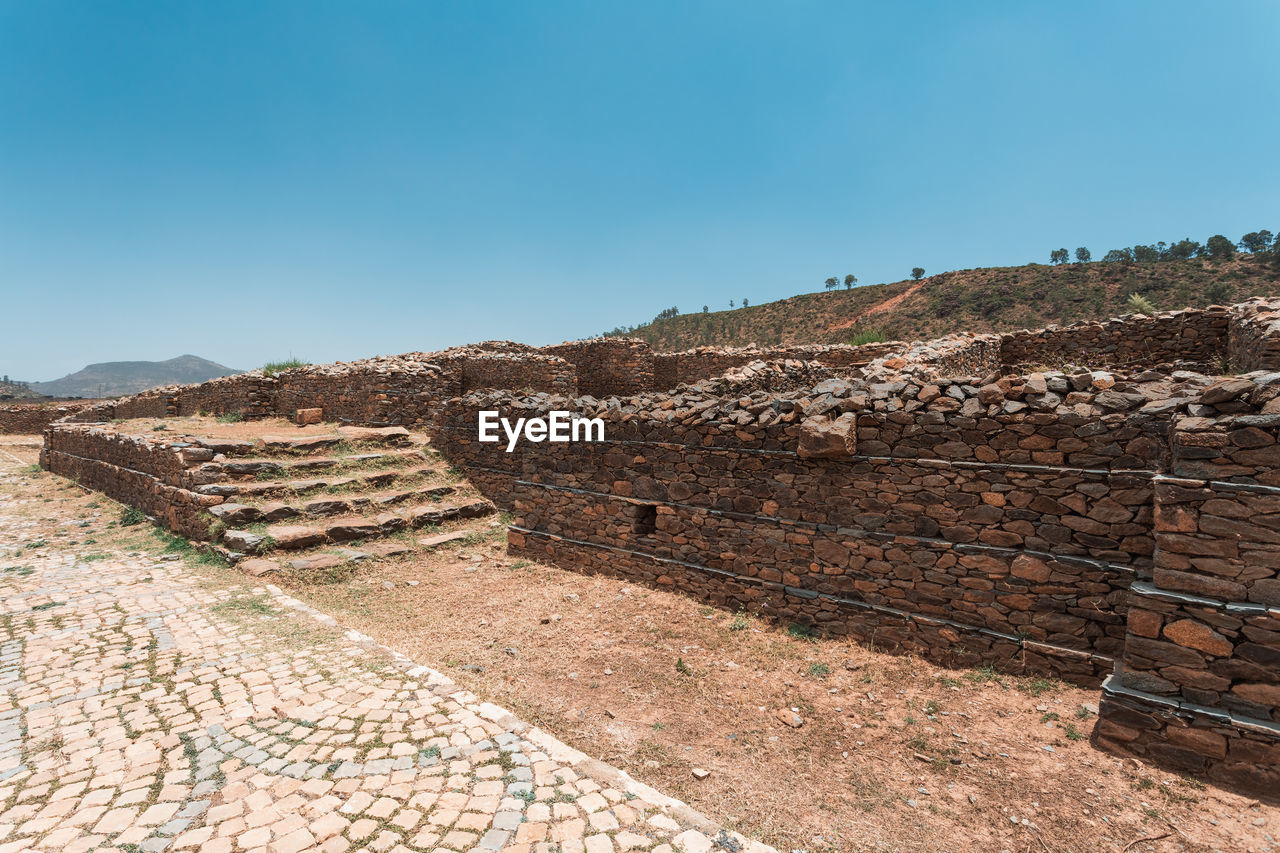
1005	514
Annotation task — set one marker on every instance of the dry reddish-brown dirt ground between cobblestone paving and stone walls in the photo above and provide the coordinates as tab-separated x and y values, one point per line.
892	754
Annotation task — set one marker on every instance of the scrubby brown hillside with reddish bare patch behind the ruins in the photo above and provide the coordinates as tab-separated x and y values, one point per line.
975	300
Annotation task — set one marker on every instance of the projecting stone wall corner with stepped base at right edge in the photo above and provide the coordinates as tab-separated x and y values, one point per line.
1199	685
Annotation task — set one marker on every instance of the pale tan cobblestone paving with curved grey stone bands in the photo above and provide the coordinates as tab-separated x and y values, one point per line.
150	706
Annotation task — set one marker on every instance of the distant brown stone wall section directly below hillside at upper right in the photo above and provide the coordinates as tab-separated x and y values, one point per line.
1192	336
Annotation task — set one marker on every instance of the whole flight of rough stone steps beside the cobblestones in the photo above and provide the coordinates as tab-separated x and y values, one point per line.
318	503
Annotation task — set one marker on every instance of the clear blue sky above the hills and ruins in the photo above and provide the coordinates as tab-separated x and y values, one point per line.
246	181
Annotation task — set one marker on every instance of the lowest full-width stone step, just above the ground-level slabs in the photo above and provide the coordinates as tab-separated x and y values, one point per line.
335	531
